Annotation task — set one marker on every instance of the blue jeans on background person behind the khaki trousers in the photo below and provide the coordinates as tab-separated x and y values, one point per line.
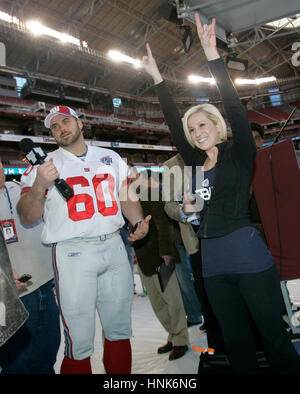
190	299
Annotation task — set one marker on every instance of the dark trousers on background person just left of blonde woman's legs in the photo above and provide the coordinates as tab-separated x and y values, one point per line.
213	330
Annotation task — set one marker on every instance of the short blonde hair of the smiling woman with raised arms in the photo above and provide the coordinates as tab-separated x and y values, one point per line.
212	113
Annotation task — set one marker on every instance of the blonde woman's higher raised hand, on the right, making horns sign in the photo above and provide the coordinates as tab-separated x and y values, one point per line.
207	37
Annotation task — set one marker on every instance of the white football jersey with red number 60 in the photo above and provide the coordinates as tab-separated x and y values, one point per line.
95	207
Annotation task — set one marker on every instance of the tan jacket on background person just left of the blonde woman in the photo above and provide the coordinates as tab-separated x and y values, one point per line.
189	238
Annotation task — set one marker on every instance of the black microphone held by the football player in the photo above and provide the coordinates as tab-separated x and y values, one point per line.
36	155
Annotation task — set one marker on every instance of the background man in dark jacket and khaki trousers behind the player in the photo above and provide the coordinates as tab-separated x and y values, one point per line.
156	247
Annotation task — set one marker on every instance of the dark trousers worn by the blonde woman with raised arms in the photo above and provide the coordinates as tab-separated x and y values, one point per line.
233	297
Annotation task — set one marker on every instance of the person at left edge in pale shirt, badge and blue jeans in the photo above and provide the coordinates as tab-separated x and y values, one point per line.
33	349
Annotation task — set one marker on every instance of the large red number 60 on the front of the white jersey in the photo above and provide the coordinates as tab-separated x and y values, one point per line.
87	200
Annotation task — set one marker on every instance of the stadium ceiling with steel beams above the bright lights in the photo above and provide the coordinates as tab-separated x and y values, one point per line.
102	25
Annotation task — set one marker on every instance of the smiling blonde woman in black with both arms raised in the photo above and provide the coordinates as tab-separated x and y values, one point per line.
239	272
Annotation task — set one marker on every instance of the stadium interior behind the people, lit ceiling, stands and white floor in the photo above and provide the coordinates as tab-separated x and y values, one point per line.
86	54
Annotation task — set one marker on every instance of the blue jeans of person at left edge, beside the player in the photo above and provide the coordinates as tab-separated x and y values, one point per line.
33	349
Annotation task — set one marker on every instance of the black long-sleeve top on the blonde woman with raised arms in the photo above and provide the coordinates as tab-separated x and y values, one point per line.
227	210
